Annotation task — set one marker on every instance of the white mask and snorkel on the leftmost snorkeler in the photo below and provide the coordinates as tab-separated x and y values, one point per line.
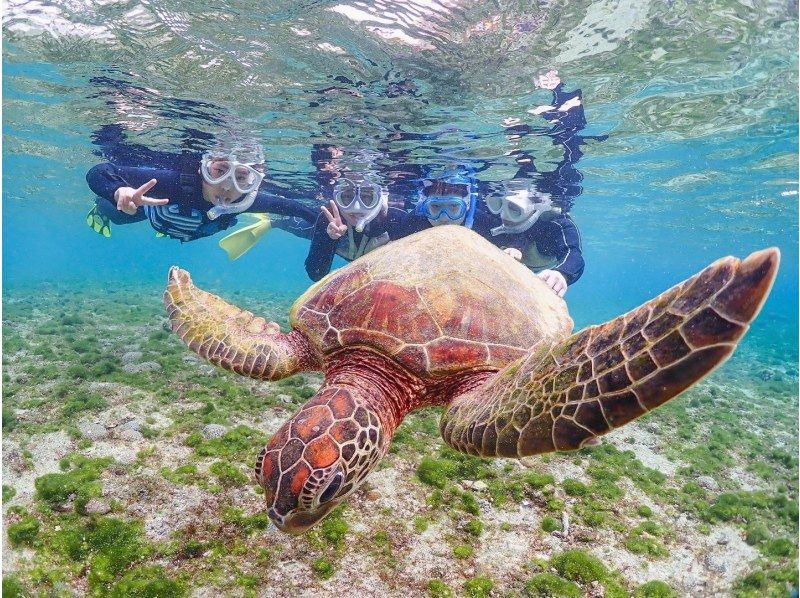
226	170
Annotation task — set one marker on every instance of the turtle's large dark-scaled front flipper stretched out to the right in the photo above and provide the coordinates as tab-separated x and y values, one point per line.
603	377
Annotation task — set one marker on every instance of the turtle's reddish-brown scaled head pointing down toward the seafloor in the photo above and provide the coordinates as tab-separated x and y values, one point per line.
319	457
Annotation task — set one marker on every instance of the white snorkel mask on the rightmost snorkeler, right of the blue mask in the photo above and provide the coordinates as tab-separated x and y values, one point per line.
520	207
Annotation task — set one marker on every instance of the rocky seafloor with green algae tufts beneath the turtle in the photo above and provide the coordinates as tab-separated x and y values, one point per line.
127	472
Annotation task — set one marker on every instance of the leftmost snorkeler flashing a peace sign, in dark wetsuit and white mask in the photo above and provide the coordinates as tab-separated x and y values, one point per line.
196	197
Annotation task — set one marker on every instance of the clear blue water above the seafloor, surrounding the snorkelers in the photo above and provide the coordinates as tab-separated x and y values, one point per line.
701	159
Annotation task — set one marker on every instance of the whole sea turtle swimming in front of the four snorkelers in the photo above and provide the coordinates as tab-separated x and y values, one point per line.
445	318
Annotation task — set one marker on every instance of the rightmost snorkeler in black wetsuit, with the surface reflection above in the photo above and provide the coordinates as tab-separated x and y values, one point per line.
535	224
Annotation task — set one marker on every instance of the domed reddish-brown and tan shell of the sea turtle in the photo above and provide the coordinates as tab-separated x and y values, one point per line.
439	302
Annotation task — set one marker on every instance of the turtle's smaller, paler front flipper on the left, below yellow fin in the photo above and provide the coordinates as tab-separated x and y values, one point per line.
231	337
